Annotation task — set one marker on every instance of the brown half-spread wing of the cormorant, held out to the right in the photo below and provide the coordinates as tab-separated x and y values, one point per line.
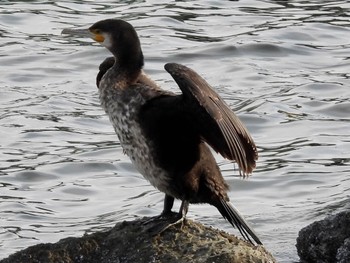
217	124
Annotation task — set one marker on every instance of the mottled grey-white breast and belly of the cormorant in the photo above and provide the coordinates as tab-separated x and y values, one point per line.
122	107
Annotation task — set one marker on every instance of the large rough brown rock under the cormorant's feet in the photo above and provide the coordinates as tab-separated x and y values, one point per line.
134	242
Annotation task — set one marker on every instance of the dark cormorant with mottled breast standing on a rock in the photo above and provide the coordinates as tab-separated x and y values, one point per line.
167	135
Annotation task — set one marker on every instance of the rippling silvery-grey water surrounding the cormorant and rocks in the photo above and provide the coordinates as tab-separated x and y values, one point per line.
283	66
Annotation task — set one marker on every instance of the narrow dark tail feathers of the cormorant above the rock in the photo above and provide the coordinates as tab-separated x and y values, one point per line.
236	219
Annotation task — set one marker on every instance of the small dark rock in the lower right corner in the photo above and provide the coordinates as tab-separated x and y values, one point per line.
326	241
